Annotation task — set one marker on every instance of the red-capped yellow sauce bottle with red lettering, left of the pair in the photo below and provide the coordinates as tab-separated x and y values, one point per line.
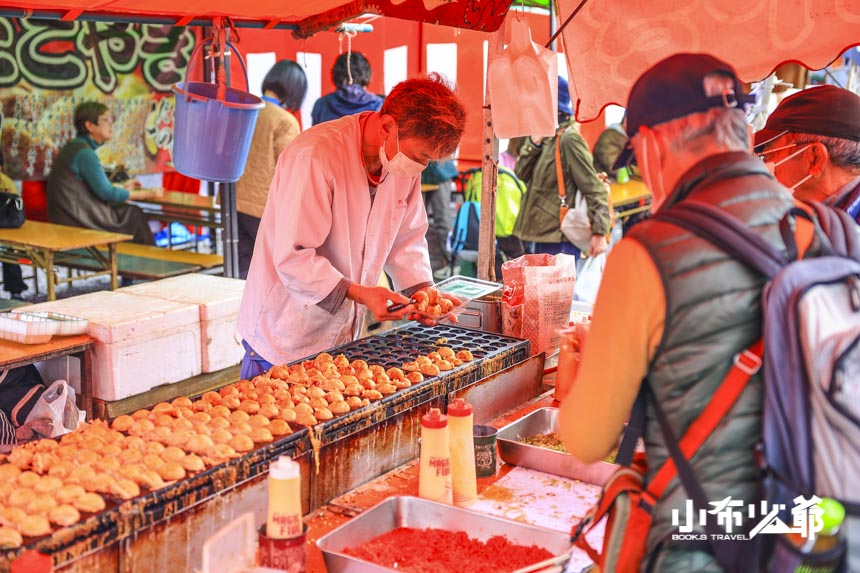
434	477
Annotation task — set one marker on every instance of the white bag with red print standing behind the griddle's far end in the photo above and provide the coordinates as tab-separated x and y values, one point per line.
536	298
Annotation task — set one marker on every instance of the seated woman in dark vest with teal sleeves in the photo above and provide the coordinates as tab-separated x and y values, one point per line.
80	194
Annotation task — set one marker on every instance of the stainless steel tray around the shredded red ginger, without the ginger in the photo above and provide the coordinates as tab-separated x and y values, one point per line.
405	511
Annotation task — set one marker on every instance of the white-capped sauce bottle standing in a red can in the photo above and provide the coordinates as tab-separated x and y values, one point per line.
285	502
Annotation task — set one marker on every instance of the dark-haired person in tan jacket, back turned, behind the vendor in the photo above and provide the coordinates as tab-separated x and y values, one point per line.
284	90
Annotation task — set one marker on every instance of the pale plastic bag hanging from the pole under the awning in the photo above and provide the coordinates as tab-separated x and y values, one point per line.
523	87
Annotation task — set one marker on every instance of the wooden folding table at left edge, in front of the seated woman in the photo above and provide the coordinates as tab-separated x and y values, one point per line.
44	245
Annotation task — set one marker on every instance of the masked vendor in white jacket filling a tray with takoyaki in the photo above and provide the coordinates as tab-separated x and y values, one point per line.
344	205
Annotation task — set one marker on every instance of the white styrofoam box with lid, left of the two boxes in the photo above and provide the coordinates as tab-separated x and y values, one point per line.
140	342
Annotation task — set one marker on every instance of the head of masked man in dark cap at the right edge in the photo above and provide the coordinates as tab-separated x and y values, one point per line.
811	143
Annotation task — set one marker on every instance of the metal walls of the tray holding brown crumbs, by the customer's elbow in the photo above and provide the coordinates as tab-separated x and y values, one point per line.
542	421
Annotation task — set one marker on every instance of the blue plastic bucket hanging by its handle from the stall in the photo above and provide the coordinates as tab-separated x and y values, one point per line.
212	136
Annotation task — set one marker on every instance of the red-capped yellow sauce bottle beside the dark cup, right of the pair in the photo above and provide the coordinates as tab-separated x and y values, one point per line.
463	479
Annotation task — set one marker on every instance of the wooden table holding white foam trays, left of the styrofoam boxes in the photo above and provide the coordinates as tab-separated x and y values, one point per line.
14	355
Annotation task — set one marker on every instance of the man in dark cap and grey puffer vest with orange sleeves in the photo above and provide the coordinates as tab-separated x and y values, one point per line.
675	313
